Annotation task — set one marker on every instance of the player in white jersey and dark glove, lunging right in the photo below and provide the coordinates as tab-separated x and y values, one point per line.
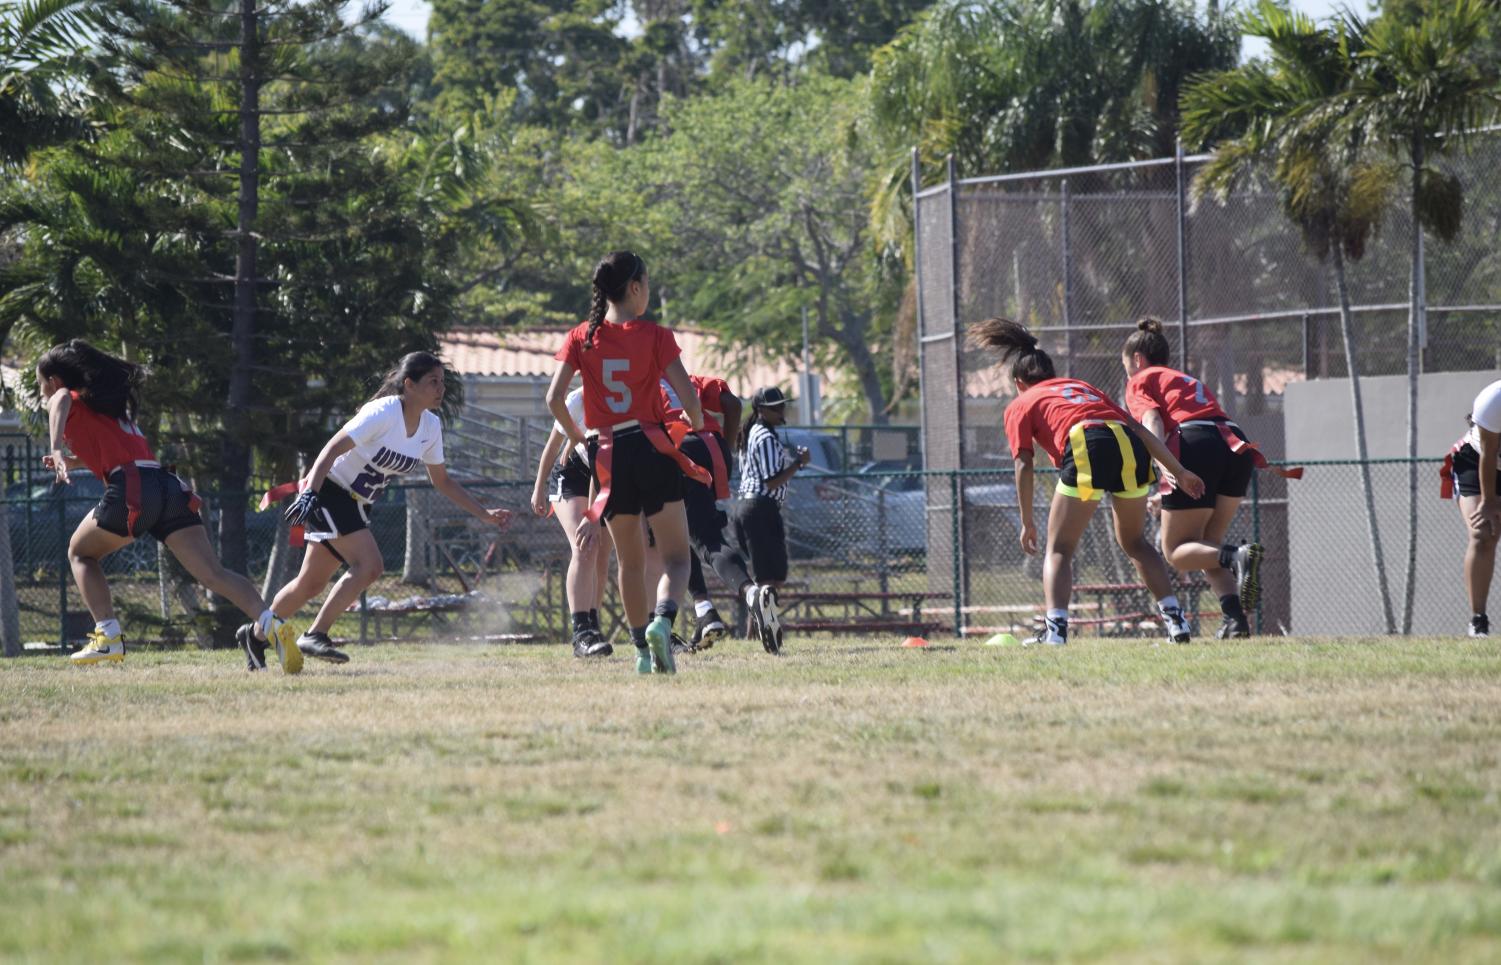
393	434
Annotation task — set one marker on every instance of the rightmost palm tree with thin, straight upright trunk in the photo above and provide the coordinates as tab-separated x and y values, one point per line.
1424	86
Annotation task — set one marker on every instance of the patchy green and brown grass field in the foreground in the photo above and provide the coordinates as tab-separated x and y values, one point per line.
1272	801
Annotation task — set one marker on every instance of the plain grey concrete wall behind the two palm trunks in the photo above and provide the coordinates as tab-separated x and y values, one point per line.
1334	588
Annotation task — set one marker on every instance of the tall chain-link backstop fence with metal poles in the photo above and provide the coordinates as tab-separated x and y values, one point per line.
1078	256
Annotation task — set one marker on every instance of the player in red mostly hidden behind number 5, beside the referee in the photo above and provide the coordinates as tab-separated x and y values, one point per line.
706	522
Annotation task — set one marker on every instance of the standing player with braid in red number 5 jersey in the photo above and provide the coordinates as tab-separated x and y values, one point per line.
637	469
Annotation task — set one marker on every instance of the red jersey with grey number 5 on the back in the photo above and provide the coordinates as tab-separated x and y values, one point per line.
622	370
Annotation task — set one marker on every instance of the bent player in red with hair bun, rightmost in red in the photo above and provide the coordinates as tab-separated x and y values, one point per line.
1182	412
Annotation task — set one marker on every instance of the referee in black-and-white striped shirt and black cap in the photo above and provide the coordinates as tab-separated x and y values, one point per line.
766	467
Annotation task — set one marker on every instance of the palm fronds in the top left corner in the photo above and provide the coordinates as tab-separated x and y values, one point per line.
41	49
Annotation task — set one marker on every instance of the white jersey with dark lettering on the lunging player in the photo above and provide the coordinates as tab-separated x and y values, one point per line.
384	451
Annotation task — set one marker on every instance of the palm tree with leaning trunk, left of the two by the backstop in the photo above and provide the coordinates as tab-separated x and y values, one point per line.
1284	119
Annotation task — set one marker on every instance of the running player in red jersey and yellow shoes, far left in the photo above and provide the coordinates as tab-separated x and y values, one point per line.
91	401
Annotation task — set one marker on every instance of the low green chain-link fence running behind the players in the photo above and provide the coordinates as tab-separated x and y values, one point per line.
862	561
